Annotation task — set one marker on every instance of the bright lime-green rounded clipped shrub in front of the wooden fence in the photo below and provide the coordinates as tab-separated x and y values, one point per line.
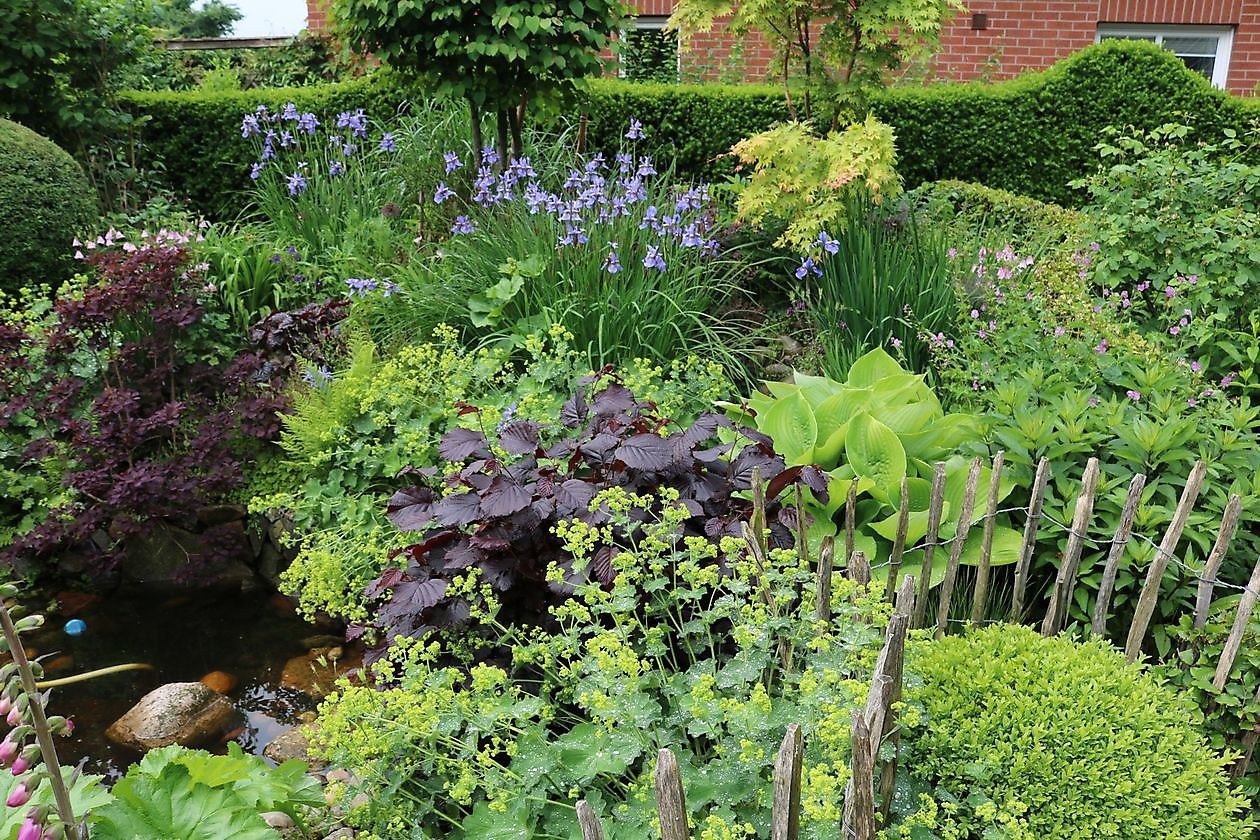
1031	739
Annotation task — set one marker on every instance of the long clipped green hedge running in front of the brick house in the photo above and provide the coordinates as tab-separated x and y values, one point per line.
1030	135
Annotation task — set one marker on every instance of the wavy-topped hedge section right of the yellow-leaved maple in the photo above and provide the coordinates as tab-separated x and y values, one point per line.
1035	134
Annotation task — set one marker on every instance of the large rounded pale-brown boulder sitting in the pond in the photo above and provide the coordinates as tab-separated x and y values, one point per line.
178	713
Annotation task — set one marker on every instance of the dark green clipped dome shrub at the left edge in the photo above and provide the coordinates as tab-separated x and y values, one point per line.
46	201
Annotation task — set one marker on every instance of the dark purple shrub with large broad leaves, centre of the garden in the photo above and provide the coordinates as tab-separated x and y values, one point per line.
498	514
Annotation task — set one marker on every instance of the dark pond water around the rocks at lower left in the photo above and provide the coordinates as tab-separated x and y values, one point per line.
183	638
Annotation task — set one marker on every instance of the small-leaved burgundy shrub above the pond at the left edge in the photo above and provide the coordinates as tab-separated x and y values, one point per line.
134	396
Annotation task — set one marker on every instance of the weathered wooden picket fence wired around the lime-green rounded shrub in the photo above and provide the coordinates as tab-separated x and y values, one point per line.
866	808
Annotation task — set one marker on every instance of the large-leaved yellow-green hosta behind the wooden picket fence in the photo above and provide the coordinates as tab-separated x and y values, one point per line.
879	428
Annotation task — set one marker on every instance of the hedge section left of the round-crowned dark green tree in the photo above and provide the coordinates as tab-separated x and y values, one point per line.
196	135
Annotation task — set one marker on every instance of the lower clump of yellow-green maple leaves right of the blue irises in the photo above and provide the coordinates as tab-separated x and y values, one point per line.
807	183
